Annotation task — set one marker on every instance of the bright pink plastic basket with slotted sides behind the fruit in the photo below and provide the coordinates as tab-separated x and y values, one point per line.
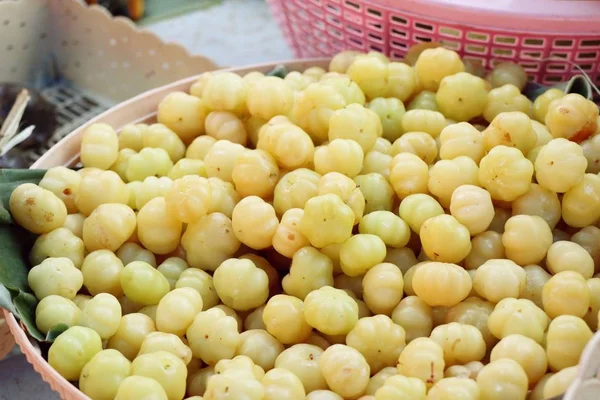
527	32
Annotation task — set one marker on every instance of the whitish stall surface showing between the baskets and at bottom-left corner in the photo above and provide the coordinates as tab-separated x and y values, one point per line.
233	33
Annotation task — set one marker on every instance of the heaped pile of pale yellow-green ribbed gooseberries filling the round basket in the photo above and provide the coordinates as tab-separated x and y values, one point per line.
380	231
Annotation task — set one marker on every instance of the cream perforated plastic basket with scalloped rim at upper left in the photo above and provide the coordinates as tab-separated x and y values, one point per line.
83	60
